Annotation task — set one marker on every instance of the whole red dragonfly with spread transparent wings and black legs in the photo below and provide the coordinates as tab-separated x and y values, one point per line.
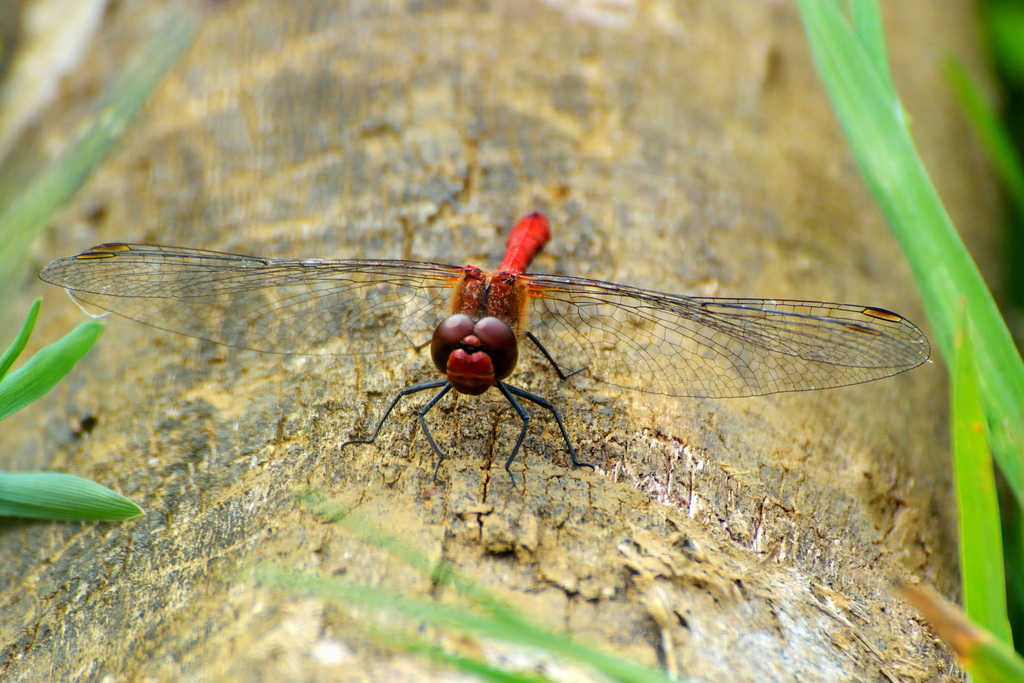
623	336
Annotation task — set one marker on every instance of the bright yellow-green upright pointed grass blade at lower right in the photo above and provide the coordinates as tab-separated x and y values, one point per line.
980	536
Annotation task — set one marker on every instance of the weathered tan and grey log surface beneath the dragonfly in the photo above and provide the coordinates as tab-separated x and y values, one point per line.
686	148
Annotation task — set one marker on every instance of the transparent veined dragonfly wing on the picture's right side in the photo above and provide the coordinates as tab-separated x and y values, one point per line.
710	348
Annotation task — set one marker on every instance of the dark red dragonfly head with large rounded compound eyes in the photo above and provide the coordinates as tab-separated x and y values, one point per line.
475	355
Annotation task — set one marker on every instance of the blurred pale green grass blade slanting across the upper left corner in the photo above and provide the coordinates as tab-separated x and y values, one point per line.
52	189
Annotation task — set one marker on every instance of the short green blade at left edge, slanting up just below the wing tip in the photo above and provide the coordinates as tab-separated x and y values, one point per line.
47	368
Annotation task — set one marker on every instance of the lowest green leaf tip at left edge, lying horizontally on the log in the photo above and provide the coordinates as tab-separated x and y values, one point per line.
57	496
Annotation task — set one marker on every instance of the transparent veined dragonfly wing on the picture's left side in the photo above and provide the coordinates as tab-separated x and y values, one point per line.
277	306
